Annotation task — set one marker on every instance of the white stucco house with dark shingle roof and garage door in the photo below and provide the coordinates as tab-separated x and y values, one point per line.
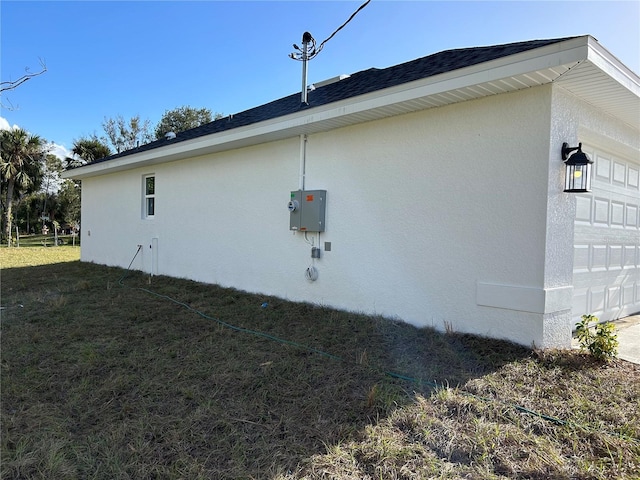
430	191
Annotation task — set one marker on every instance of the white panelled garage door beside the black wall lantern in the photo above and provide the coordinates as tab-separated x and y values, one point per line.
606	274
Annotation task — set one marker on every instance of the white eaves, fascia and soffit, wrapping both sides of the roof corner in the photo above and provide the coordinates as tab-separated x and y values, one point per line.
580	65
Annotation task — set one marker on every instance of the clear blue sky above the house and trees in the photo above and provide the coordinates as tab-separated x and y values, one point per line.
142	58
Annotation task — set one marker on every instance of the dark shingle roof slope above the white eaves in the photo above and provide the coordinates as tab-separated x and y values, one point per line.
359	83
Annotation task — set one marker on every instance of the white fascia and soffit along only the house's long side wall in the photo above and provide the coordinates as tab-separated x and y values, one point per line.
562	54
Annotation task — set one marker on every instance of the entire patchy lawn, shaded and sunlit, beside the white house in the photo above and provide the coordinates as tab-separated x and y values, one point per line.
102	379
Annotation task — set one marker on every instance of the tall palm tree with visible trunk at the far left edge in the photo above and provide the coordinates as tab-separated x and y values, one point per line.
20	166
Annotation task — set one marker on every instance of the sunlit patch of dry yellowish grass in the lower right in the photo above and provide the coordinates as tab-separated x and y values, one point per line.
589	429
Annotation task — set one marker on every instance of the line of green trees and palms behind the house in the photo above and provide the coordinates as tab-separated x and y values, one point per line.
33	194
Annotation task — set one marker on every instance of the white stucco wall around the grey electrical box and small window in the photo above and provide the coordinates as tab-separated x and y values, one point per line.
436	217
